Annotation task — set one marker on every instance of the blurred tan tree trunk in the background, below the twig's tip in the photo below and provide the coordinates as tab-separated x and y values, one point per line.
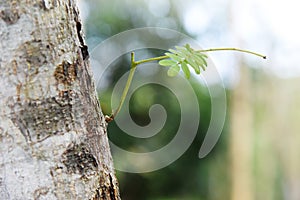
241	138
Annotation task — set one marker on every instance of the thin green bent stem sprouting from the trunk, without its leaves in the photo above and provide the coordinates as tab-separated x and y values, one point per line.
134	64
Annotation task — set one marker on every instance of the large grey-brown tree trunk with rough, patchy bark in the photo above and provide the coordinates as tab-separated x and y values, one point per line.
52	131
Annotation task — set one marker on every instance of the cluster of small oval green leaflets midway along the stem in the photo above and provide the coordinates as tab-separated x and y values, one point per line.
184	58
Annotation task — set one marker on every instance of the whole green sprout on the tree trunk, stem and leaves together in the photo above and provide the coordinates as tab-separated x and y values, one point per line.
183	57
